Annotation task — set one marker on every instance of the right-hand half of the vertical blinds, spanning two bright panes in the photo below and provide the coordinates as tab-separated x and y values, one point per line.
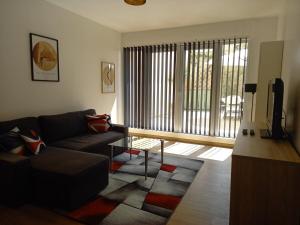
214	73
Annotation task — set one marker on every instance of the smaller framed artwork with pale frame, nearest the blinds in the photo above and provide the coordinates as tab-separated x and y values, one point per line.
108	77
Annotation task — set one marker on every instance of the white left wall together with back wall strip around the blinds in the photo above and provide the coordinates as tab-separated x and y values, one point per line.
83	44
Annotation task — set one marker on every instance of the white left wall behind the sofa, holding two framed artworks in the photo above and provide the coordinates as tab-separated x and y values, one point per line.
83	44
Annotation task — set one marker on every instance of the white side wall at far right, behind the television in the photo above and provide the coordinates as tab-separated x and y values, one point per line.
291	69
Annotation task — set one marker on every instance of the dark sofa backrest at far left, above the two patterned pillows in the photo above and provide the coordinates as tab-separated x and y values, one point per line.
23	124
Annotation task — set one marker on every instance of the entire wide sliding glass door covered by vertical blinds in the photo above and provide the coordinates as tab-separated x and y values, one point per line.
194	88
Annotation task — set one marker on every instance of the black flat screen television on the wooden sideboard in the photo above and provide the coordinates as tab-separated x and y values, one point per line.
274	110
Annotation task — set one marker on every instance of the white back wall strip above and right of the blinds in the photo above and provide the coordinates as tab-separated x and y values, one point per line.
258	30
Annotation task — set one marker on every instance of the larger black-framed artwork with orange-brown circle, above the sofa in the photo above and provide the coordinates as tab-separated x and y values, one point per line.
44	58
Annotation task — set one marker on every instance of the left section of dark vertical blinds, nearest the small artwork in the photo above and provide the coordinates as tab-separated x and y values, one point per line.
150	86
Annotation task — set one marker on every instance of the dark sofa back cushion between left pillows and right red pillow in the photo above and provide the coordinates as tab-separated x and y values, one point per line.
57	127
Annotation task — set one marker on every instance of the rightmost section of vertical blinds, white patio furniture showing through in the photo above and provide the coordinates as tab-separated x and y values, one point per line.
232	76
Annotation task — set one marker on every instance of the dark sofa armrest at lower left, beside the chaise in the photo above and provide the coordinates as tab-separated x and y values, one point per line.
15	180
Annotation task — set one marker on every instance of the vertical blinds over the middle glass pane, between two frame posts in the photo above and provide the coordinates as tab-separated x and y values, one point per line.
198	82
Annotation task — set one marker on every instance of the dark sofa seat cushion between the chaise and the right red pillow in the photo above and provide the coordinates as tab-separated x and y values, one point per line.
95	143
